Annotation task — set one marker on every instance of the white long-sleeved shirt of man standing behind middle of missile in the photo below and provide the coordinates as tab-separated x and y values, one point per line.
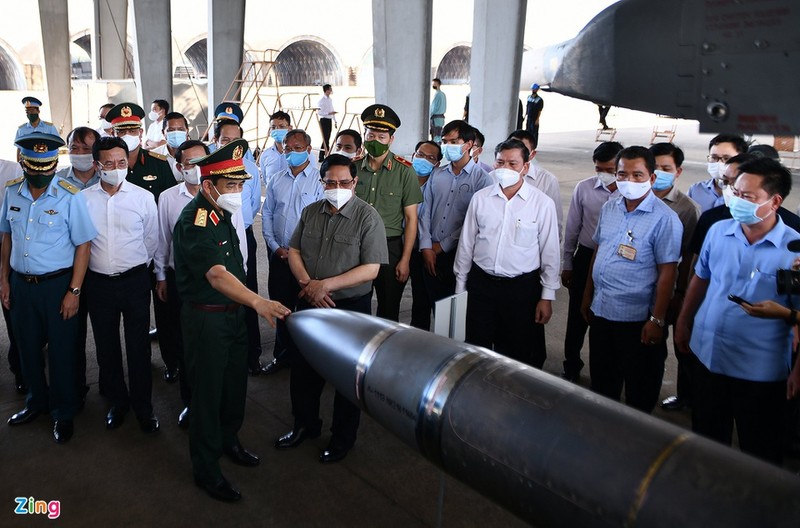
507	238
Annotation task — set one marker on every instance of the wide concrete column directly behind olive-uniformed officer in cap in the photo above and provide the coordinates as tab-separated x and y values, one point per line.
401	33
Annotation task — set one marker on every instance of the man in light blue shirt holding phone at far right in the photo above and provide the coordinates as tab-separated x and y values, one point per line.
741	363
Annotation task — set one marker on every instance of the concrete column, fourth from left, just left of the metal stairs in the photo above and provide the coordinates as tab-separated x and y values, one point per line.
225	48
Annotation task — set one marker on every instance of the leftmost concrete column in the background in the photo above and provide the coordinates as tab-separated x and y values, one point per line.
57	62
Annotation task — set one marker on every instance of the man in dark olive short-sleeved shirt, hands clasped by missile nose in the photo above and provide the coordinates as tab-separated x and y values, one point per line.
335	253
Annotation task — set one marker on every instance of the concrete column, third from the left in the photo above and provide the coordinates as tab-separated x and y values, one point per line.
153	55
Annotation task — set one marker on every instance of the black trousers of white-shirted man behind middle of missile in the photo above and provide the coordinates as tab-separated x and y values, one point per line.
501	313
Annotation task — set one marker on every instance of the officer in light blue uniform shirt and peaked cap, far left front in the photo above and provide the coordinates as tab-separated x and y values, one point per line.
46	239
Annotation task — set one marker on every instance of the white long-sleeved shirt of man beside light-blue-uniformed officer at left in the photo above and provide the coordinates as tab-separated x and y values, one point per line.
127	227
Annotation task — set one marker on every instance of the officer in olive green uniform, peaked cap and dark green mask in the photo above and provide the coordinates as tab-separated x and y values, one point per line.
389	184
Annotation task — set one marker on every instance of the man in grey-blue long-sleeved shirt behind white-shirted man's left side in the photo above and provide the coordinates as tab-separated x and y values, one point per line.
446	197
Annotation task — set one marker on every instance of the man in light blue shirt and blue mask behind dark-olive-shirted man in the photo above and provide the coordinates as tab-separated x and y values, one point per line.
288	194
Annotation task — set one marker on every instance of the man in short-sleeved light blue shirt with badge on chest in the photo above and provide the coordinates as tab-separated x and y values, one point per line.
630	284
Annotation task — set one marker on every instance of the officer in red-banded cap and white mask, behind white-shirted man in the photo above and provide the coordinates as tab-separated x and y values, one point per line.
146	169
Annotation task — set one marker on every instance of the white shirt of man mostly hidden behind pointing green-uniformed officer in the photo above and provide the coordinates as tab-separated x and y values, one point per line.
170	205
